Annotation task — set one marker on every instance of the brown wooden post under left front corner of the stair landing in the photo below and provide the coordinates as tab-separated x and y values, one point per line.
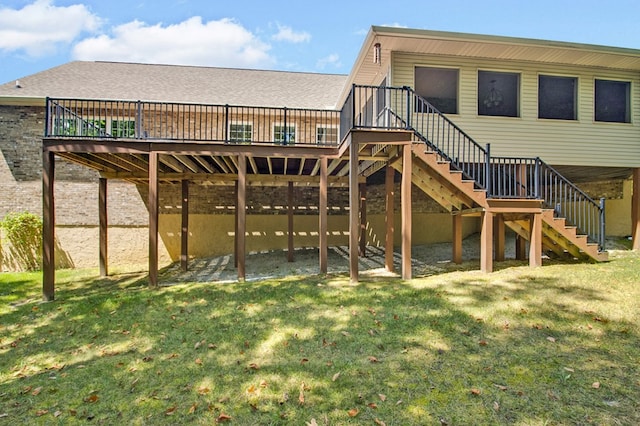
354	210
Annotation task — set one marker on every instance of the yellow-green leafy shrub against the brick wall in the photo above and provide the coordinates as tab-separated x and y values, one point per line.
24	233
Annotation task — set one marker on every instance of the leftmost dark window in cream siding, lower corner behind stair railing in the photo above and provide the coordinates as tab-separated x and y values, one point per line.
439	86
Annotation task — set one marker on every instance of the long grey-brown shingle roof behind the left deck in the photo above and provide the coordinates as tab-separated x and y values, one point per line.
189	84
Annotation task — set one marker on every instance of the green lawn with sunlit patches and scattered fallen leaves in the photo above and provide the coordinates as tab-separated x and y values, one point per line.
548	346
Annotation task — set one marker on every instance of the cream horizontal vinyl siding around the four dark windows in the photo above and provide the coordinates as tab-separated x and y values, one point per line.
580	142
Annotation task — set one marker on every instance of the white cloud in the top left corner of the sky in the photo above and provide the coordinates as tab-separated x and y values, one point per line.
39	27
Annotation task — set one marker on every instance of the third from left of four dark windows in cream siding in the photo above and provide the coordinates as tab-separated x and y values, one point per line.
557	97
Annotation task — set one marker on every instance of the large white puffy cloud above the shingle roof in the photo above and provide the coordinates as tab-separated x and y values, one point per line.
191	42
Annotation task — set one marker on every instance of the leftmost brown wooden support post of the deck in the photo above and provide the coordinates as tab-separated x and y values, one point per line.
48	227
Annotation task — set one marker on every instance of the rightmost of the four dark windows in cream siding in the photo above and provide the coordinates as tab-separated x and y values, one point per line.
612	103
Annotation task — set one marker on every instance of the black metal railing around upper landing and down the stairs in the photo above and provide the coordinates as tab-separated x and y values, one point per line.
374	107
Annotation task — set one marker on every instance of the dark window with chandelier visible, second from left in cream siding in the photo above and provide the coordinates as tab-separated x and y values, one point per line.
498	93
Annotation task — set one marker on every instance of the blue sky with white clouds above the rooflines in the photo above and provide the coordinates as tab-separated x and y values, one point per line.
320	36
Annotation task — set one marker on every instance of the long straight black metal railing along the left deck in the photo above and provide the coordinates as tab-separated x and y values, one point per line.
233	124
